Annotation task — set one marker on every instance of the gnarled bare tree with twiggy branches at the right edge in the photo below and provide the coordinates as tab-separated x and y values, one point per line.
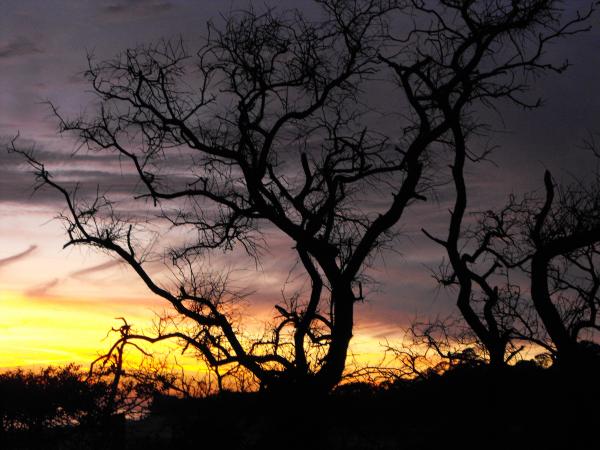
554	241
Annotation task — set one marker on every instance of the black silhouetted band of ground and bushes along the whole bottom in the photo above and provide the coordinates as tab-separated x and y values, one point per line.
521	407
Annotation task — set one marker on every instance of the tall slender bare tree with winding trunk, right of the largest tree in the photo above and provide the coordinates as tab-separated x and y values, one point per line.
485	53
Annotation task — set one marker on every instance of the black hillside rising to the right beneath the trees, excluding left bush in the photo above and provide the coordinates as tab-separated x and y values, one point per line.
519	407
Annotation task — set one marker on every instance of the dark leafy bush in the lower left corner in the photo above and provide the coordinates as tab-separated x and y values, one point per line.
56	407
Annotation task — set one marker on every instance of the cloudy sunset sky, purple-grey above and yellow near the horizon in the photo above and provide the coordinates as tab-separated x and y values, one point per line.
57	305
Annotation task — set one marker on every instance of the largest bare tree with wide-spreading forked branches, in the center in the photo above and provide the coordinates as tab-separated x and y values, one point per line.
267	124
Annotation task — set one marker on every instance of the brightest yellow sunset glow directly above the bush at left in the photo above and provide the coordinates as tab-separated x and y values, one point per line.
37	332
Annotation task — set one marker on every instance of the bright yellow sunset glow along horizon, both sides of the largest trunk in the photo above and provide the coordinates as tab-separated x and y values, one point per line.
42	331
